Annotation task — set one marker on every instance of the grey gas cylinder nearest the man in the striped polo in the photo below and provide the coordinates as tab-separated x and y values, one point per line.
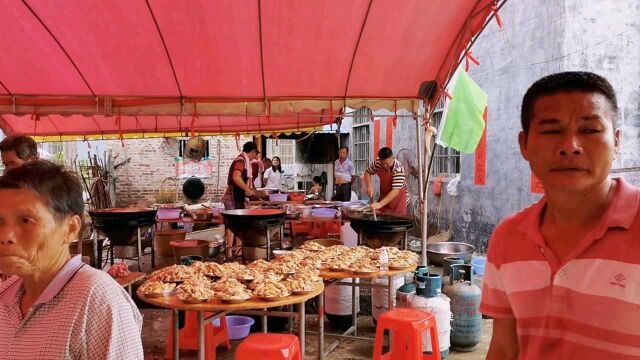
466	326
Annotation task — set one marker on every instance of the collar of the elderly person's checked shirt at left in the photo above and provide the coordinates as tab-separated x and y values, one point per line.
9	296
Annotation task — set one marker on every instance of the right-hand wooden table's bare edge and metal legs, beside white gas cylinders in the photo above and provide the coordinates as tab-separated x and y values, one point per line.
336	277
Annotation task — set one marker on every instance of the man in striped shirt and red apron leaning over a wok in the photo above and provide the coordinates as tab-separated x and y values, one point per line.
393	191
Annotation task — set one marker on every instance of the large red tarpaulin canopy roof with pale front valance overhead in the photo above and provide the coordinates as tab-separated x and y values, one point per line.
77	67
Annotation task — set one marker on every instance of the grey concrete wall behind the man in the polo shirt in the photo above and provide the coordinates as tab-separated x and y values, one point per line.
543	37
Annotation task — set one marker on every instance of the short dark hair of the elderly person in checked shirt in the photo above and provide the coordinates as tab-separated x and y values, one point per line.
59	188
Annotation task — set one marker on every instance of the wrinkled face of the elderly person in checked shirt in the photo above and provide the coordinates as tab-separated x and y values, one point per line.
30	237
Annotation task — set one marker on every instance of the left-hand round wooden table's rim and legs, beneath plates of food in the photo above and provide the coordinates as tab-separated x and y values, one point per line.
219	309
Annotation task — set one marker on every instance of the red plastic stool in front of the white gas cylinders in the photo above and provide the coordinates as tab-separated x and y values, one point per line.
405	330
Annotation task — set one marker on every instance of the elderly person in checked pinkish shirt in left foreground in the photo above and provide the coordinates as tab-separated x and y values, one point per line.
54	306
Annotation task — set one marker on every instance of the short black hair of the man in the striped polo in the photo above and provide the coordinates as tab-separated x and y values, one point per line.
581	81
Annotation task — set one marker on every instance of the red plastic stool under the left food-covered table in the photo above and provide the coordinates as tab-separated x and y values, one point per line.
188	335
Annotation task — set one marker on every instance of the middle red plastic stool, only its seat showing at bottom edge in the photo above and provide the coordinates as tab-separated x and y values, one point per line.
269	347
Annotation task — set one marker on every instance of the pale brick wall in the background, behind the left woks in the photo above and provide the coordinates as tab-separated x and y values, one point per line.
138	182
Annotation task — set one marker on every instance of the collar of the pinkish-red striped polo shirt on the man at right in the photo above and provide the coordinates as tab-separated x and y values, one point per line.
620	213
